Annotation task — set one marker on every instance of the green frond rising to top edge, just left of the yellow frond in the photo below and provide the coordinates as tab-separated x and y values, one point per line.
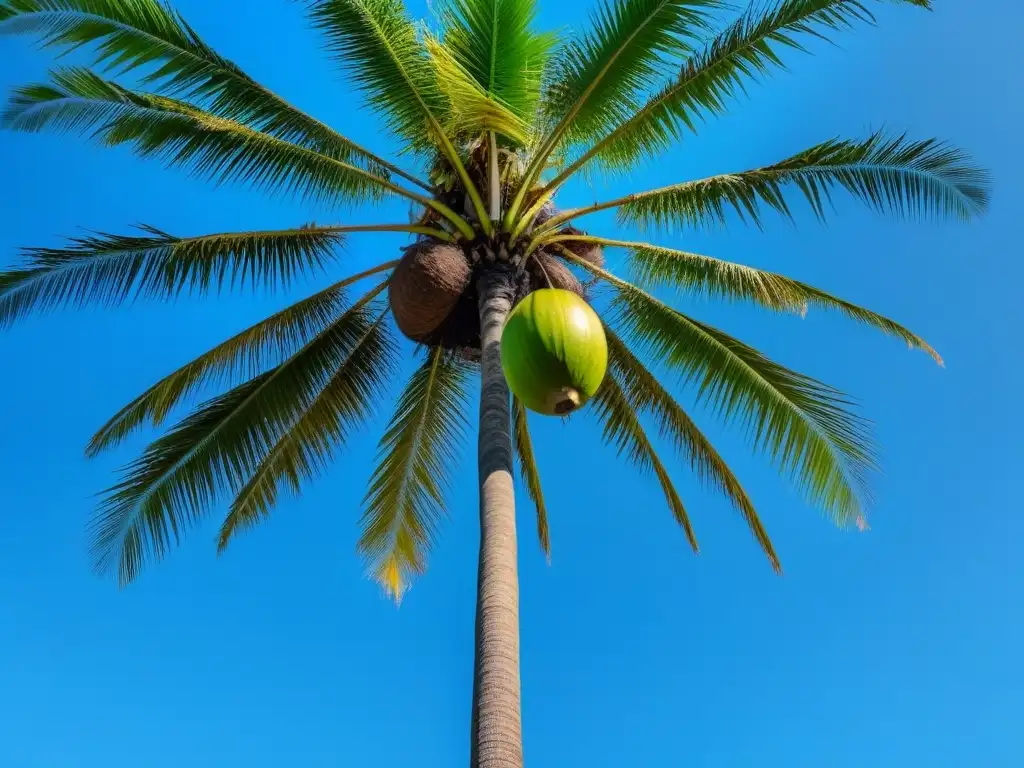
377	44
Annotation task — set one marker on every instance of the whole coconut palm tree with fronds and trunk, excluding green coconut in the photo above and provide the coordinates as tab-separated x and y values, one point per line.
494	117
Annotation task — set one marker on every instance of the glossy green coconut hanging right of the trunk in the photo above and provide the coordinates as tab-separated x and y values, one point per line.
554	353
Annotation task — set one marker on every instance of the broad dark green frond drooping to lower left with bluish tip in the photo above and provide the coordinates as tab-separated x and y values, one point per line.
216	450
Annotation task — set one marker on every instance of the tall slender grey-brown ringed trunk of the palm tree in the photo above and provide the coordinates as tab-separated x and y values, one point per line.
497	731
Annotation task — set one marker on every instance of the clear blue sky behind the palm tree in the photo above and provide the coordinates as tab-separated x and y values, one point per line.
898	648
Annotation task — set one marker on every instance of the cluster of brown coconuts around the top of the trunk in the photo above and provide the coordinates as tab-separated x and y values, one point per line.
433	292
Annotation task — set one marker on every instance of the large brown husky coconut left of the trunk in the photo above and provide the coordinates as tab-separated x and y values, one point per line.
426	287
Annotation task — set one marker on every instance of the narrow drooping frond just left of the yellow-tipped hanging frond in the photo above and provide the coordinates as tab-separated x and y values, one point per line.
311	444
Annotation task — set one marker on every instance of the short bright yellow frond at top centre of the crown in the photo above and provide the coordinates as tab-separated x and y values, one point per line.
473	110
